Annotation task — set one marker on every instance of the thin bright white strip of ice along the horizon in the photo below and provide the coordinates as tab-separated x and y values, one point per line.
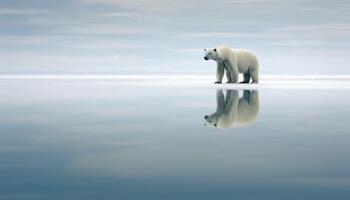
339	82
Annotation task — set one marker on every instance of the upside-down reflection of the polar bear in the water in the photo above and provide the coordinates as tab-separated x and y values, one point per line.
233	110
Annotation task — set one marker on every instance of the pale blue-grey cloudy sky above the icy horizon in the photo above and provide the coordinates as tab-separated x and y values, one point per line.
168	37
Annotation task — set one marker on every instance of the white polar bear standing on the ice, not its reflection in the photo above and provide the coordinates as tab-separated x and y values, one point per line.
235	61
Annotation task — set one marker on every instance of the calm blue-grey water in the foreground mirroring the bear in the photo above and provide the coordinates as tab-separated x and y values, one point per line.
105	140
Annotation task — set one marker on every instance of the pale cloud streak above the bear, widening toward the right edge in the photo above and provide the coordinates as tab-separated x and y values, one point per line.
315	35
